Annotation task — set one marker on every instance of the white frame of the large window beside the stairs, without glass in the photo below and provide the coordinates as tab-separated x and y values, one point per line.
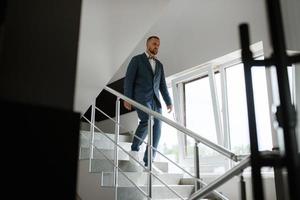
210	69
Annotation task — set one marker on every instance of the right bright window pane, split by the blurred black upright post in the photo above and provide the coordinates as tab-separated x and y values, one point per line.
237	109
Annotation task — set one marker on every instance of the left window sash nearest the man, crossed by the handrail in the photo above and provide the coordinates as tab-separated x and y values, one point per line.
201	104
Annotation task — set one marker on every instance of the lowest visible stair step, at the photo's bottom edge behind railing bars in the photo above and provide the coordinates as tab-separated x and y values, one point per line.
159	192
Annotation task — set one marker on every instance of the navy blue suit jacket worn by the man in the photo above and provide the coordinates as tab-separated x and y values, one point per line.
142	85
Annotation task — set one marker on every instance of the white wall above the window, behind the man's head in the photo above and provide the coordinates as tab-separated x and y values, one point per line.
194	32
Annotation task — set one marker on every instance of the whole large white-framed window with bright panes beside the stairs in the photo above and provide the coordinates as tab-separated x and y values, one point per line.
212	103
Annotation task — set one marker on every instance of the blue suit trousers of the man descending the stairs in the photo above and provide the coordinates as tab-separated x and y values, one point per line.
142	129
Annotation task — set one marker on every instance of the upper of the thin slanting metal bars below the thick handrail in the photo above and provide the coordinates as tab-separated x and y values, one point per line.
215	192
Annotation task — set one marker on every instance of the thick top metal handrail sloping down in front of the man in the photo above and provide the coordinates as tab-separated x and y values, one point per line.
179	127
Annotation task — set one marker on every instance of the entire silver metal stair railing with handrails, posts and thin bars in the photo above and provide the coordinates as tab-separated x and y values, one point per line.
204	191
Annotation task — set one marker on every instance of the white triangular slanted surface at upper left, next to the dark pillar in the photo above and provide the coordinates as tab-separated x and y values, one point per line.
110	30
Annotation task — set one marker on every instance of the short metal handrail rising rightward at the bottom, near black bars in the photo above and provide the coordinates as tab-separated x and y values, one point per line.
222	179
